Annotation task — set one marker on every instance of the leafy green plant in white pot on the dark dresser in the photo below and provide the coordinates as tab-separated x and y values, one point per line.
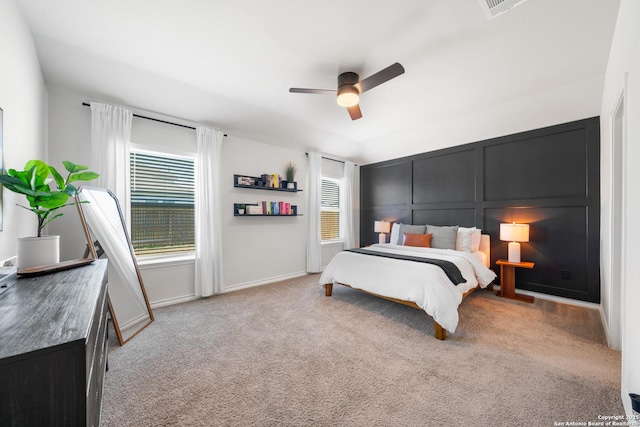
34	183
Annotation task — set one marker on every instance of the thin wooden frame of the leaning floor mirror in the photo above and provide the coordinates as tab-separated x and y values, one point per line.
94	255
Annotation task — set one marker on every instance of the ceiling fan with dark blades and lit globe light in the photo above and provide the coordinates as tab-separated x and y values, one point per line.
350	87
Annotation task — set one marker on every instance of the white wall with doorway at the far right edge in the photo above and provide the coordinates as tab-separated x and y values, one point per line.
624	61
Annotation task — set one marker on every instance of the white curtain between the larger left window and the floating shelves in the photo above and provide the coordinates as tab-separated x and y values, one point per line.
208	225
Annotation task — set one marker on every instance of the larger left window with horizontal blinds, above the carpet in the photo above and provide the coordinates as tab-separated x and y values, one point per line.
162	203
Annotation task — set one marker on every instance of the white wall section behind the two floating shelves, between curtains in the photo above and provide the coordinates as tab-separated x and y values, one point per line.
261	249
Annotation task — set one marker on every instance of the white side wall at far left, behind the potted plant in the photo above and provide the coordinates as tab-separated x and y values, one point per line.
23	99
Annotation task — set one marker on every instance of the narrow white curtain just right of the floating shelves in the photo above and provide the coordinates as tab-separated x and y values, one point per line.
314	247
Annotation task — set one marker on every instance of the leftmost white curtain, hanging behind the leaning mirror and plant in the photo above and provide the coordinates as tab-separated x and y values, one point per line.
110	141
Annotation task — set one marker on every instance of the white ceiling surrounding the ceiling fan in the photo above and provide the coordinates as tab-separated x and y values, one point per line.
230	63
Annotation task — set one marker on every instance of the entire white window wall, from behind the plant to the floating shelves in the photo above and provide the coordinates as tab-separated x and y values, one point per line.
255	250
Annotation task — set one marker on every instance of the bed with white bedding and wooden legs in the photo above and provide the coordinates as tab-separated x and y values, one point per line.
397	272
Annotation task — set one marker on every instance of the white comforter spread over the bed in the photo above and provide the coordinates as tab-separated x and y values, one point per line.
424	284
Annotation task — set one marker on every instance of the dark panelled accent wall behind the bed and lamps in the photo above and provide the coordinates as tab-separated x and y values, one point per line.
548	178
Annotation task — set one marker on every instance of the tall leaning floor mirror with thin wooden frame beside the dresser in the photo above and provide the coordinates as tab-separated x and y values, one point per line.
105	230
